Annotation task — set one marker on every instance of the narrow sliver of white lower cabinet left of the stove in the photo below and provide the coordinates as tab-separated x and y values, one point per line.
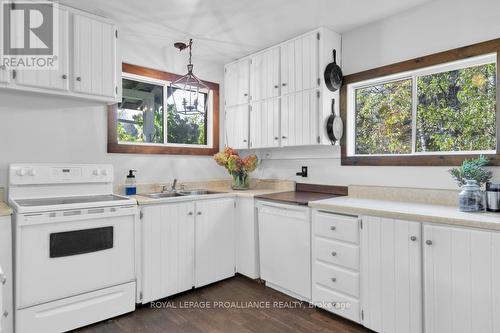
6	277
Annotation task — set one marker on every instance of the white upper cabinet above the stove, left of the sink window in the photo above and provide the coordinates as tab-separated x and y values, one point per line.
86	60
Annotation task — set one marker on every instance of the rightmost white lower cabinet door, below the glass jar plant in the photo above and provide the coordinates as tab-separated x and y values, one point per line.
461	280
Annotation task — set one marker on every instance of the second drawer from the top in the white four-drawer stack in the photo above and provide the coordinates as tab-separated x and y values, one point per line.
336	253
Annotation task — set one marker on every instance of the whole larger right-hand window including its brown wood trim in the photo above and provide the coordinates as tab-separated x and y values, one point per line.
435	110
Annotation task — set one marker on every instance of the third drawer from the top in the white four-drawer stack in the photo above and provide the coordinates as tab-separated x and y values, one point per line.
336	278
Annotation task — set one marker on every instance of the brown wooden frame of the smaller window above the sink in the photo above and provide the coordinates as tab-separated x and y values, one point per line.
116	147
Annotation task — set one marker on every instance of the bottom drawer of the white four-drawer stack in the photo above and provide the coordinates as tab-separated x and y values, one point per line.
337	303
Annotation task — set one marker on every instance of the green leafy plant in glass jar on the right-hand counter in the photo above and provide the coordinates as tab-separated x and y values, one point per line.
472	174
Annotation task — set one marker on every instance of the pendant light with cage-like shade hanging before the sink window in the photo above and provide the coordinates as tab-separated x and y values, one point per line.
189	93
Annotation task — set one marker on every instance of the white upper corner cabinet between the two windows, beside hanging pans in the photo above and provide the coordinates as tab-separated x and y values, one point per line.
287	95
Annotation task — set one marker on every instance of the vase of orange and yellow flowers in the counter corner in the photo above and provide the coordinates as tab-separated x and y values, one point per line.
238	167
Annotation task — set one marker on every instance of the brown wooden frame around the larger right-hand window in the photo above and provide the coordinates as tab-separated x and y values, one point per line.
492	46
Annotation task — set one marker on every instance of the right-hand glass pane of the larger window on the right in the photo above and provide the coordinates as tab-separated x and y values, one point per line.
456	110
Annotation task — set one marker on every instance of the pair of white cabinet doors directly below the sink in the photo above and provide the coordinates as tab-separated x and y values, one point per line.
185	245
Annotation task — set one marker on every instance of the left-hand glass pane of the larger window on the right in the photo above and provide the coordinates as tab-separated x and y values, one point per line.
384	118
